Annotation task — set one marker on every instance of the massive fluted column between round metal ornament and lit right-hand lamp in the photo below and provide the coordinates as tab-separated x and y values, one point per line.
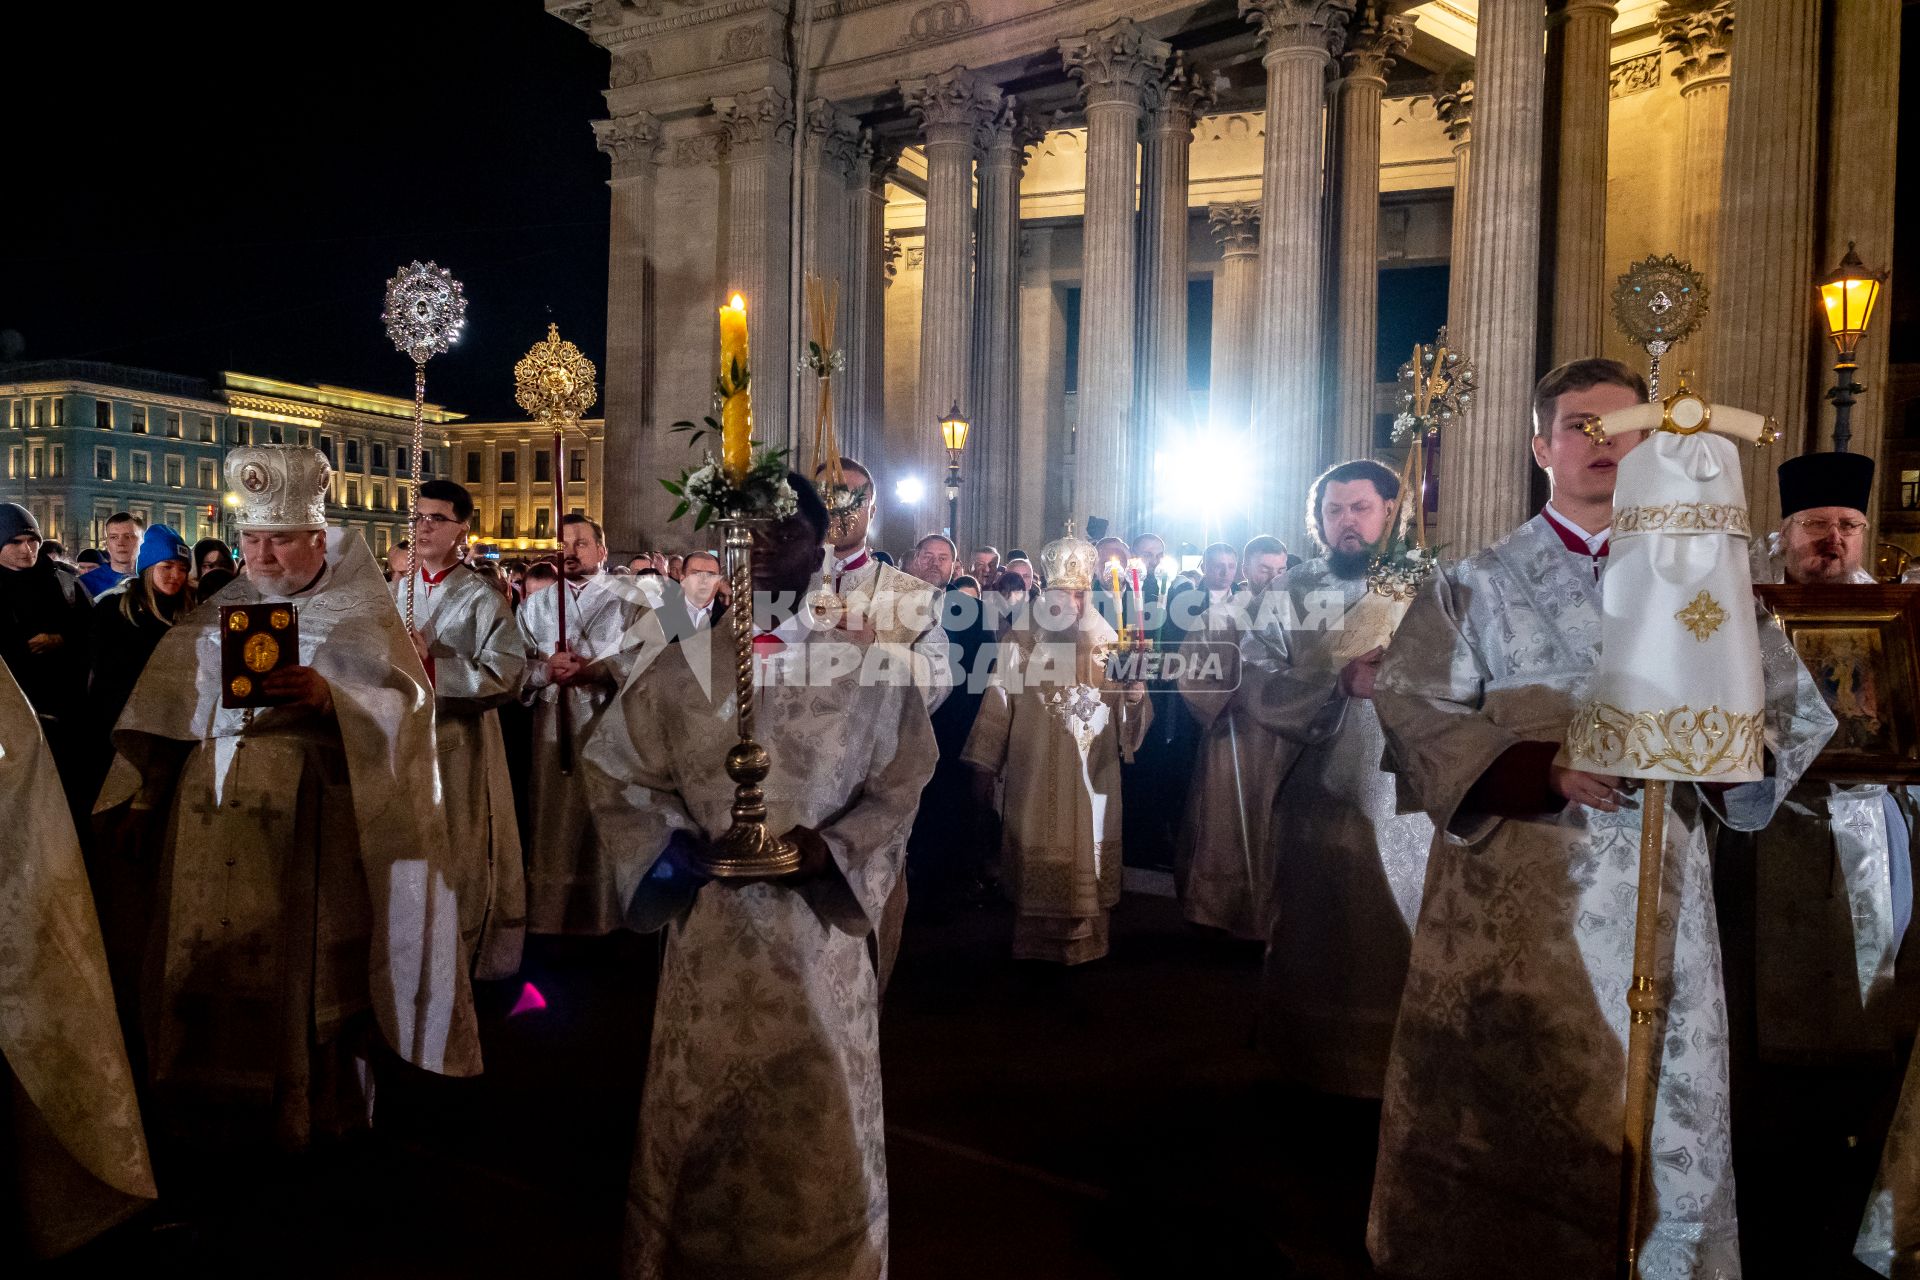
1767	225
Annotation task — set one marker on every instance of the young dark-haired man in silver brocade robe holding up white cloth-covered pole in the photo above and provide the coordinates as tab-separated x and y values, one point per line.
1504	1110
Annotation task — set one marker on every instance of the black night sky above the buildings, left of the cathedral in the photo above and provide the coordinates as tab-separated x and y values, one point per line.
212	185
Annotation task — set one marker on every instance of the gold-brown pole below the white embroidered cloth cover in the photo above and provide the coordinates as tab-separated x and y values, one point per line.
1643	1045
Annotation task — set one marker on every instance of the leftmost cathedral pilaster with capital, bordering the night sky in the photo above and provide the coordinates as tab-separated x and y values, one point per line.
627	375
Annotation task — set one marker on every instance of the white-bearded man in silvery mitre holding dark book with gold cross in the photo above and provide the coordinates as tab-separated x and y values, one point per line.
306	901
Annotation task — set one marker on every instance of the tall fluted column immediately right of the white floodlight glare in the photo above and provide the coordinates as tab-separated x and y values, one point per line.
1299	37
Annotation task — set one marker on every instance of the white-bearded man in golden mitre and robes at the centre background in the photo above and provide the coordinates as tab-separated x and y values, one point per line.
1055	732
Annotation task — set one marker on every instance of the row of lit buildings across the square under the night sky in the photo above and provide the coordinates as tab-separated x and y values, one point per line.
85	440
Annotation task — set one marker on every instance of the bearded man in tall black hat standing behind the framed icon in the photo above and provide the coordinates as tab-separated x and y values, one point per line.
1813	913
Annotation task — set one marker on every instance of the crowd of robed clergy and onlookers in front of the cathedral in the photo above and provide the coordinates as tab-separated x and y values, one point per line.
283	897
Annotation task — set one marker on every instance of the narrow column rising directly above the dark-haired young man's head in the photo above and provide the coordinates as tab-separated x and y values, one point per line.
1579	53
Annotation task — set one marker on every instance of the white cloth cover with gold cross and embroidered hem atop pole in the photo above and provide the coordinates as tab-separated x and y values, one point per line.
1679	692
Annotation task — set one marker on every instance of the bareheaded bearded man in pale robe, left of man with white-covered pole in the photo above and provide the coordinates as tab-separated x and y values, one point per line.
1347	865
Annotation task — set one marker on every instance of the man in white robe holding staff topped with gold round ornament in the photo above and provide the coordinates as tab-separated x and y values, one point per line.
569	886
